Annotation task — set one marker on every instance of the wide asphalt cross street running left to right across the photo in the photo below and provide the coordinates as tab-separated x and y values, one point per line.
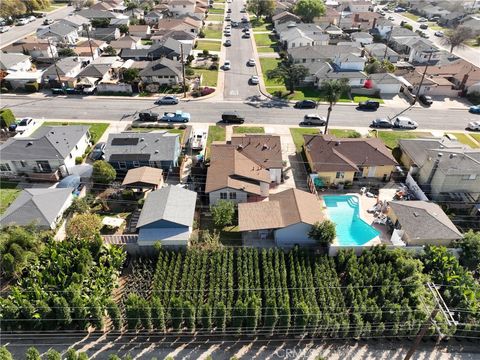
259	112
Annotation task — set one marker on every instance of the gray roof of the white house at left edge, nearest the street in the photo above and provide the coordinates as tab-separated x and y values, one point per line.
48	142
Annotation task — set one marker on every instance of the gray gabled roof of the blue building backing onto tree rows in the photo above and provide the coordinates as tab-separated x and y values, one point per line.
172	203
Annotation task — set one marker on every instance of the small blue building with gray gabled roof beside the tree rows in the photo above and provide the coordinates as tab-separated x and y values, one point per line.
167	217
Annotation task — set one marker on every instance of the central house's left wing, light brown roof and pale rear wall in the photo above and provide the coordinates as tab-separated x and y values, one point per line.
235	177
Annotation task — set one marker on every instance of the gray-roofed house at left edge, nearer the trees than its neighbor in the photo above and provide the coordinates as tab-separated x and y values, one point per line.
43	208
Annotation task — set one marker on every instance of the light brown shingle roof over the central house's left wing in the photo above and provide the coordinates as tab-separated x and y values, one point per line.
230	168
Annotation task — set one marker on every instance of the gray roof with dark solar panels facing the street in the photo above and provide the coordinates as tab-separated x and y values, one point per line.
157	146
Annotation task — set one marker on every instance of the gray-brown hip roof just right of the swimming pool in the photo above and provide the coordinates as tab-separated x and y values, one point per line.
424	220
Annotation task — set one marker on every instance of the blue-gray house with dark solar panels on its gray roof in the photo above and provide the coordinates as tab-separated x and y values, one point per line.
135	149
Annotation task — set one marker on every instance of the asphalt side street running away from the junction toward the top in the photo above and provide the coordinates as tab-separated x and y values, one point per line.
237	78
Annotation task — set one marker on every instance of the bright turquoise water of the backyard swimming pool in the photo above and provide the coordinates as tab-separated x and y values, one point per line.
343	210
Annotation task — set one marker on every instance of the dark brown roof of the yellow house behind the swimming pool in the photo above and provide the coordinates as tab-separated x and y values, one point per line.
329	153
